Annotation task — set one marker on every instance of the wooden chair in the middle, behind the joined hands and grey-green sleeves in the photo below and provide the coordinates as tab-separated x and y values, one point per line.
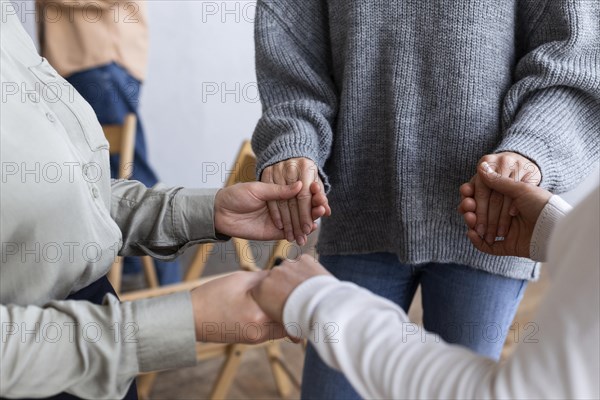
243	171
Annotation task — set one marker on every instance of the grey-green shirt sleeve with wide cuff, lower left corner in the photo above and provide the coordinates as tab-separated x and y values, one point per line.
92	351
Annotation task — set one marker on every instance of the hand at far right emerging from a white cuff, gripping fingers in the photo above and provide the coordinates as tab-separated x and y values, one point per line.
527	202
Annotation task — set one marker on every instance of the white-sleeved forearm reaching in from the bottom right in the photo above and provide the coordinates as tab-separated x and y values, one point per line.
379	350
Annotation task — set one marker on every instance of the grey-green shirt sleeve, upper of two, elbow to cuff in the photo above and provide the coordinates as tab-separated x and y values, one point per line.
162	221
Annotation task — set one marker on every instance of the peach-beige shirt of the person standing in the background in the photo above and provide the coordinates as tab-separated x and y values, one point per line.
76	35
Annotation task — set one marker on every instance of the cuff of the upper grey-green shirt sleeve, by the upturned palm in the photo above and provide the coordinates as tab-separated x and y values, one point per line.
194	216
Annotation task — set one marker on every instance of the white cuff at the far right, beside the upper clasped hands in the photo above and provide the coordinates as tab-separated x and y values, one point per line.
554	211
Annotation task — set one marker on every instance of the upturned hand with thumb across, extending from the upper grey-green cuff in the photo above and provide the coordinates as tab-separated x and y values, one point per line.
241	210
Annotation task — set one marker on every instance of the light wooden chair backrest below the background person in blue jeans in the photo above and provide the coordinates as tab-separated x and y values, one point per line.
121	139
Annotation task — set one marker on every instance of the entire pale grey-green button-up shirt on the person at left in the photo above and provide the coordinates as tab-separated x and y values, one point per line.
62	221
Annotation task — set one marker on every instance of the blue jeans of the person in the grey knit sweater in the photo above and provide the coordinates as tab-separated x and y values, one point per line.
463	305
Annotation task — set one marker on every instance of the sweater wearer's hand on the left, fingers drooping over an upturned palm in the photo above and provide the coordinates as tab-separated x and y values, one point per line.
293	216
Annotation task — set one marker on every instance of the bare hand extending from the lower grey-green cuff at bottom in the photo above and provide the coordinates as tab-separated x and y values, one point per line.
225	312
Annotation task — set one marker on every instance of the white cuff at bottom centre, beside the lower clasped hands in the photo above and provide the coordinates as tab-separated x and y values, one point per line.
301	304
